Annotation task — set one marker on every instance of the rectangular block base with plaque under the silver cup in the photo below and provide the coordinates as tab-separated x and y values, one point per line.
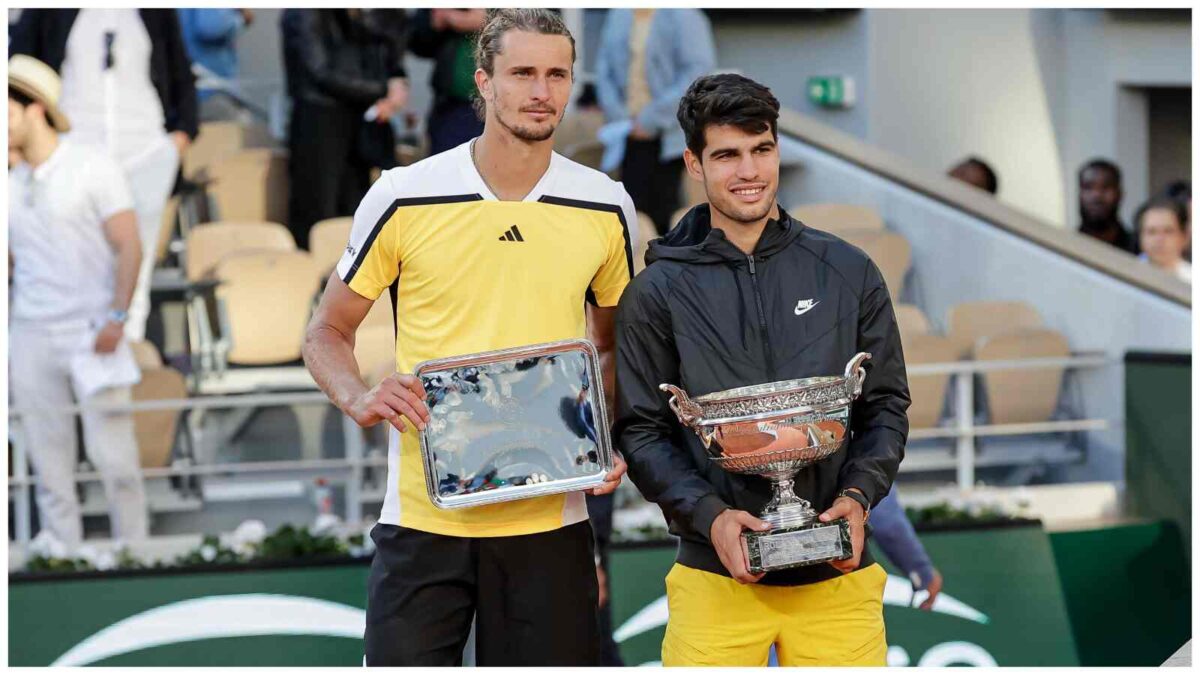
796	547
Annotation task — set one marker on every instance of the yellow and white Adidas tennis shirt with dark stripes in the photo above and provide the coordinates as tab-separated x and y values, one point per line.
469	273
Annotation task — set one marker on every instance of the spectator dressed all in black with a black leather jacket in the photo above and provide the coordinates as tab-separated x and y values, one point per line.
346	77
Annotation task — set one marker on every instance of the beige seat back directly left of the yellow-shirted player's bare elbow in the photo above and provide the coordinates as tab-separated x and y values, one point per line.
267	298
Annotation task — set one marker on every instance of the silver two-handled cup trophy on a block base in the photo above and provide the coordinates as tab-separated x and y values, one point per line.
775	431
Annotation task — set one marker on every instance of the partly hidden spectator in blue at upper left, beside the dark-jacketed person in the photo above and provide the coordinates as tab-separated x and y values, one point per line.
212	39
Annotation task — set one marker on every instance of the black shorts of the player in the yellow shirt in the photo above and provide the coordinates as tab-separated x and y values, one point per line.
533	599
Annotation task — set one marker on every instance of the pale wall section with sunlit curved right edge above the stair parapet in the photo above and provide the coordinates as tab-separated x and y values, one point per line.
951	83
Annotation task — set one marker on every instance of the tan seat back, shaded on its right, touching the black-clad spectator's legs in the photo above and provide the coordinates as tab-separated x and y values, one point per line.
250	186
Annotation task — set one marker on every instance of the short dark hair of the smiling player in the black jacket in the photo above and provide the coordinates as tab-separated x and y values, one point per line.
727	100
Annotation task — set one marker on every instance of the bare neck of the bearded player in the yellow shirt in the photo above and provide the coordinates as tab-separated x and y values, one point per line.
509	166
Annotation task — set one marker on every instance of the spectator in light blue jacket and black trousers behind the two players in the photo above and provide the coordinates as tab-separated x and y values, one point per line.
646	62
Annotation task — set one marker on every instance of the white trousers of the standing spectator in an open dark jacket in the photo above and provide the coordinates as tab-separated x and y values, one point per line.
152	176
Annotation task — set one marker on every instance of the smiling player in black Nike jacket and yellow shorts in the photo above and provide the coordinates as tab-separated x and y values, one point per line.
740	294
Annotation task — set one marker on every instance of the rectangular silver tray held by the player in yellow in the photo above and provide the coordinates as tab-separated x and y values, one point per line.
514	425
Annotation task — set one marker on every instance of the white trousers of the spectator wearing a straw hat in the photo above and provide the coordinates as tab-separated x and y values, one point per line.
40	380
